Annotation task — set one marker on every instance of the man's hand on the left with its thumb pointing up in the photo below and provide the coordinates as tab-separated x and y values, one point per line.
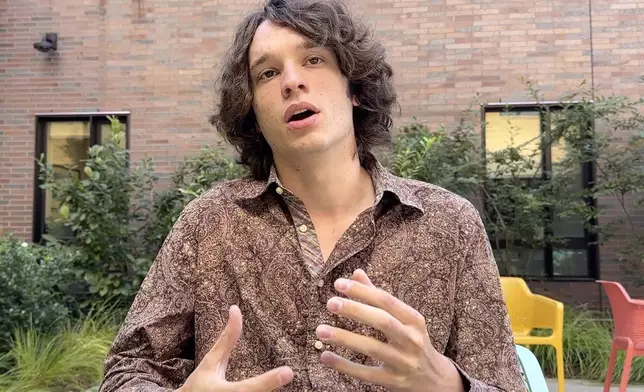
210	375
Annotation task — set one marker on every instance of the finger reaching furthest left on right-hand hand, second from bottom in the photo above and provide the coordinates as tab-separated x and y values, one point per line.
368	346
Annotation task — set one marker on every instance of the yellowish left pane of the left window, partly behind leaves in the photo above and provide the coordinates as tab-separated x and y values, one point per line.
67	145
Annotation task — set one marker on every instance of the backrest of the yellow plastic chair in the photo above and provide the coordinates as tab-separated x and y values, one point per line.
518	300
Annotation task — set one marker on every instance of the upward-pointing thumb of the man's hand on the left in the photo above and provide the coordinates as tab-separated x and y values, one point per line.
217	358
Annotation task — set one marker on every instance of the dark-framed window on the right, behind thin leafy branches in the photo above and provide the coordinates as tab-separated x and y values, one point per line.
573	255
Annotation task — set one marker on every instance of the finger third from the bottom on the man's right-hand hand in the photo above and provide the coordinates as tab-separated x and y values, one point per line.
371	316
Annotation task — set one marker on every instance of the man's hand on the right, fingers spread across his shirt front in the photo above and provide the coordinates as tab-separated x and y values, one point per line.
410	362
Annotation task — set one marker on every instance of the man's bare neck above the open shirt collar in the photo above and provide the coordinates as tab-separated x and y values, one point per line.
329	184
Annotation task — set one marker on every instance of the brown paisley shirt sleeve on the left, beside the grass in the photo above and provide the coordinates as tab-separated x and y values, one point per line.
154	349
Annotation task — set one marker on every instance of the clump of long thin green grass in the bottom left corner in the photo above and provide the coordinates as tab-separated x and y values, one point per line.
69	360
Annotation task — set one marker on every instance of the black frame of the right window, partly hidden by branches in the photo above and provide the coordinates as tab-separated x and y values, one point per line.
588	176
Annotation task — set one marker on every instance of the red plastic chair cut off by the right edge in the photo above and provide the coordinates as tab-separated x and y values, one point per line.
628	334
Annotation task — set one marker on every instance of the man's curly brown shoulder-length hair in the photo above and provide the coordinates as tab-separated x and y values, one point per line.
361	60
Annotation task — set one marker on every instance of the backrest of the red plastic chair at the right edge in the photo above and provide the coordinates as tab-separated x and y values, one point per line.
627	315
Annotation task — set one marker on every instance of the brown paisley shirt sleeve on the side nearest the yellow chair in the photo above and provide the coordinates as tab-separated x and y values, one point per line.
481	344
